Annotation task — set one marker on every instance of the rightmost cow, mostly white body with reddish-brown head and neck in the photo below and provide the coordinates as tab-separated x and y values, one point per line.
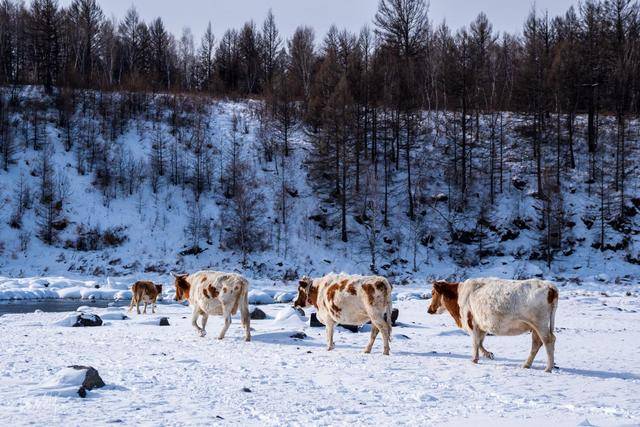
501	307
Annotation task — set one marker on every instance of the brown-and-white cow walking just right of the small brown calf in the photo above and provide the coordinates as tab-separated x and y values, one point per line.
215	293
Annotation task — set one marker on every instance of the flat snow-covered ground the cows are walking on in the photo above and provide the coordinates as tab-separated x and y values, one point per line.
170	376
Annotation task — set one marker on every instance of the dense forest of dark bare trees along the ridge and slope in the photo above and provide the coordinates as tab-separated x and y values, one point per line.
563	96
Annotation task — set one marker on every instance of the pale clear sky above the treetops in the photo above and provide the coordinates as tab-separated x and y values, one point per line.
506	15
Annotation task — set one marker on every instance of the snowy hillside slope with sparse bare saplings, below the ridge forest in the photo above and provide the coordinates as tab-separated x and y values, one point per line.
117	216
